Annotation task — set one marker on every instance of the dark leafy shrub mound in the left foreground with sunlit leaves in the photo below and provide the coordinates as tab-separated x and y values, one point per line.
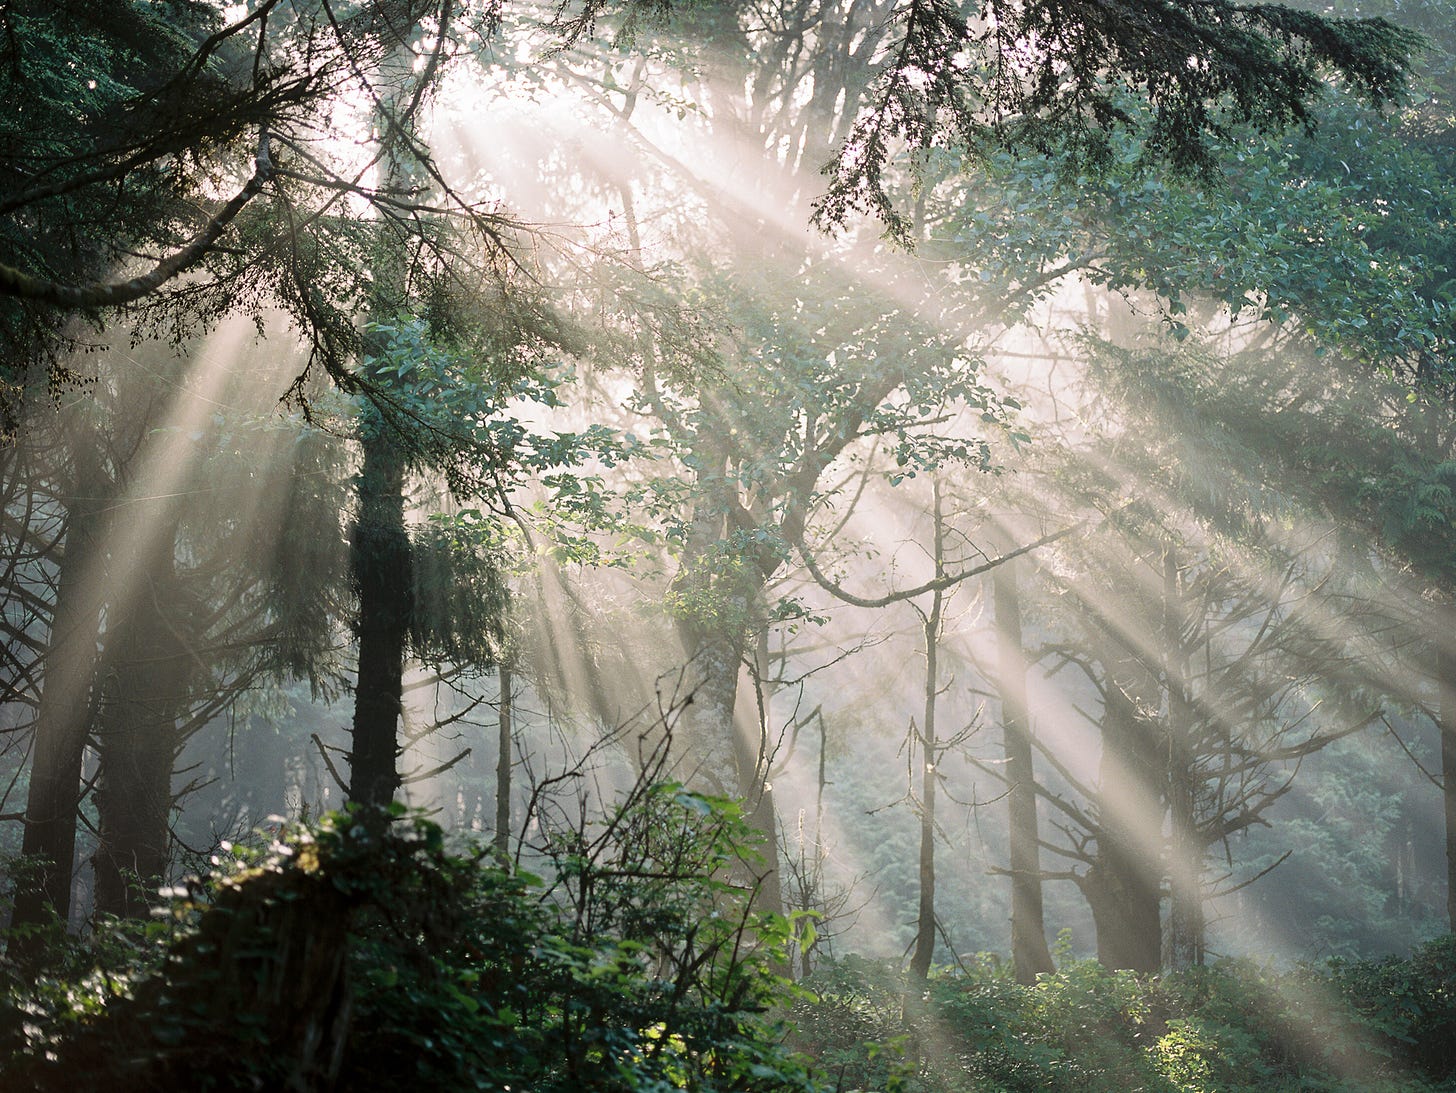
366	954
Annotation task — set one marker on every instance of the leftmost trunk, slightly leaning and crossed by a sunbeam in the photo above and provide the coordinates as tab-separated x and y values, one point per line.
63	720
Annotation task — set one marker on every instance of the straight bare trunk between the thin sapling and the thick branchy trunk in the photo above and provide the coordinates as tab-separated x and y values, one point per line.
1029	932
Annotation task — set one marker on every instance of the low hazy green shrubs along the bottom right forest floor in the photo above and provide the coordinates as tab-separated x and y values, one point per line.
1231	1028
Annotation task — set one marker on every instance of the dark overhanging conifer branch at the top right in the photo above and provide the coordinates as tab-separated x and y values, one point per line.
1058	75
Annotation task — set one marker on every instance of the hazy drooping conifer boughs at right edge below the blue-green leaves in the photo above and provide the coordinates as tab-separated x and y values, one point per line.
1356	450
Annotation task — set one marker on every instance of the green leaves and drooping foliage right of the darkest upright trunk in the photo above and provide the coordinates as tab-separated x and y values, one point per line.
465	410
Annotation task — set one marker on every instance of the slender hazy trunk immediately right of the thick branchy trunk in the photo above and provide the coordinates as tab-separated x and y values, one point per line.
1186	921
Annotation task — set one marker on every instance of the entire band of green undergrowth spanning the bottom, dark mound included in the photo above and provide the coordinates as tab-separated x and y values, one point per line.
365	953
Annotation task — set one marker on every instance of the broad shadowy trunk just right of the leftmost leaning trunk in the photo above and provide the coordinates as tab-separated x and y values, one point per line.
143	692
